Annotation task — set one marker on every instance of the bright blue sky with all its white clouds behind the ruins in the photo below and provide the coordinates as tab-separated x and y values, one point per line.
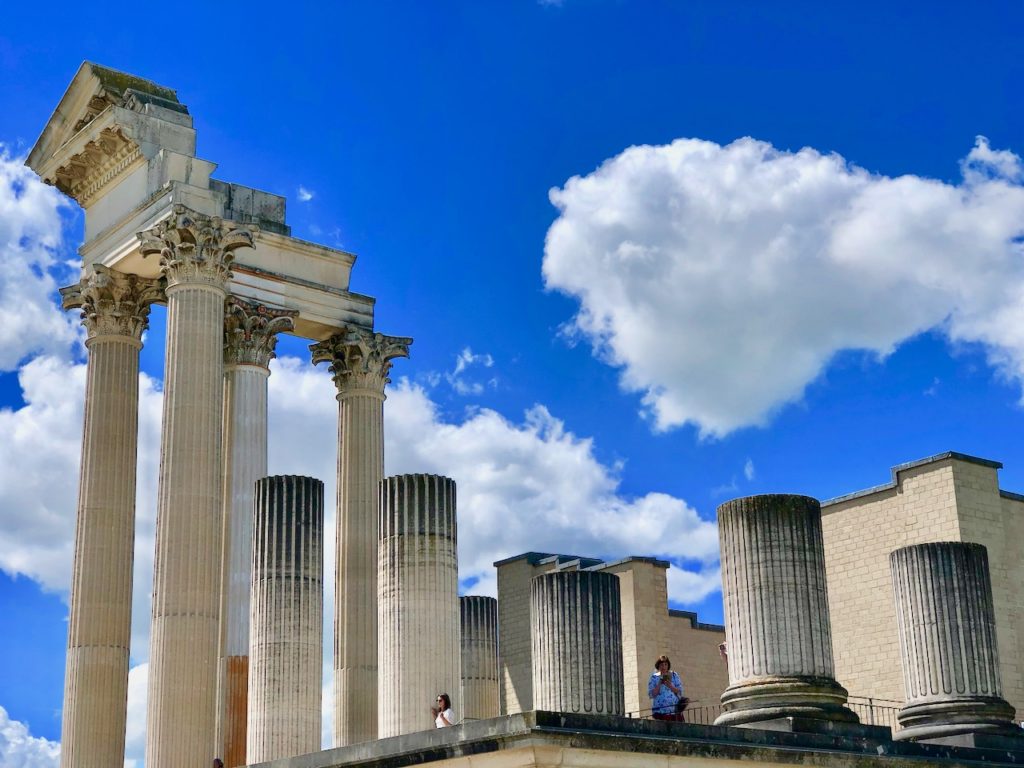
821	279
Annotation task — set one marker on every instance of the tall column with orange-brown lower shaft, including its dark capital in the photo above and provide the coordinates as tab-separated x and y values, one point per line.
250	337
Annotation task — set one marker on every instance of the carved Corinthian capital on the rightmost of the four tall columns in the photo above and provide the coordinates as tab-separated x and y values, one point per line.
360	360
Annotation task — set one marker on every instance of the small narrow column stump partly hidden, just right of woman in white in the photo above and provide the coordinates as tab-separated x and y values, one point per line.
480	658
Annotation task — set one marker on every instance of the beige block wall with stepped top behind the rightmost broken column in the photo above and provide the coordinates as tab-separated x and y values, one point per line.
950	498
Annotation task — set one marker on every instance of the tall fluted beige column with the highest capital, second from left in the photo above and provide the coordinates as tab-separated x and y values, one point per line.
195	255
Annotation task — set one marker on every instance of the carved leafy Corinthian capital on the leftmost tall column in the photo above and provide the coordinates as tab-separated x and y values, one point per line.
113	304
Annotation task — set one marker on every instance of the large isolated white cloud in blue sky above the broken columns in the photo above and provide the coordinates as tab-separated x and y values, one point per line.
722	280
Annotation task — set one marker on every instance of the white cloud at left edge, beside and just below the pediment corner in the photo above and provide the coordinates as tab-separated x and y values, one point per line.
31	239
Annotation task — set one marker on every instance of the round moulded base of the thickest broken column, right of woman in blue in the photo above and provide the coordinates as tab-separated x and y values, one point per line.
779	698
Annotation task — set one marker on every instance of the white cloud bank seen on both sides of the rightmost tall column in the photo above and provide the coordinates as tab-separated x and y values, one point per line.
528	486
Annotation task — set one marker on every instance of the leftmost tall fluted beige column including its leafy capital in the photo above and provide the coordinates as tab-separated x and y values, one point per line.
115	312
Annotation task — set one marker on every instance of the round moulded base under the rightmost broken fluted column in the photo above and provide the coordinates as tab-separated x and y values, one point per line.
956	717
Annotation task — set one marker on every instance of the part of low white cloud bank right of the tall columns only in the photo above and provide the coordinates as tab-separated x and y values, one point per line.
535	486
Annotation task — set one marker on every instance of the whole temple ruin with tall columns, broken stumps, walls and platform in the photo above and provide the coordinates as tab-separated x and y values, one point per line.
935	579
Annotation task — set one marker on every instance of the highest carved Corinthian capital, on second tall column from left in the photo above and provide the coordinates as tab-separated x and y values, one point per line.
195	248
